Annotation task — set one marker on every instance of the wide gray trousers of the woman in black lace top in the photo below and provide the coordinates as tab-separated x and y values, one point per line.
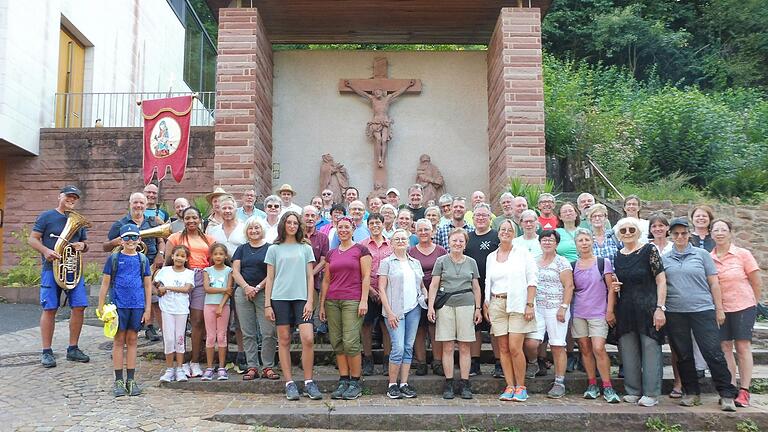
643	365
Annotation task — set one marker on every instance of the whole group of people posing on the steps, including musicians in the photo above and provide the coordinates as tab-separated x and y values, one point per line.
439	273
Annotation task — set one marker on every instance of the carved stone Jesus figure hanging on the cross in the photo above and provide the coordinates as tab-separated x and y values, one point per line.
380	128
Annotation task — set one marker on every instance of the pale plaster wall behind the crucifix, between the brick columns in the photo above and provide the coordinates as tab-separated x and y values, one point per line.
448	120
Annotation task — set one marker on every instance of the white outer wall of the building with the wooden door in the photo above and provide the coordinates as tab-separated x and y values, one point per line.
132	46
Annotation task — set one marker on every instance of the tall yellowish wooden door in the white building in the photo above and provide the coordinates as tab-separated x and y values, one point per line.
69	107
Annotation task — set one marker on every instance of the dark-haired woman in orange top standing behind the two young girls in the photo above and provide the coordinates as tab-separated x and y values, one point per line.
199	258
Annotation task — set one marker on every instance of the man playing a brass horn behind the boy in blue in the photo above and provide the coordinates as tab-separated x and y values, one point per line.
155	247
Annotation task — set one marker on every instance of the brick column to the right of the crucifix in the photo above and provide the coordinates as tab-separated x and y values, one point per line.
515	100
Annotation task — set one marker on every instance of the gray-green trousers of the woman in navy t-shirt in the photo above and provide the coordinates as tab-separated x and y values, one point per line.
253	324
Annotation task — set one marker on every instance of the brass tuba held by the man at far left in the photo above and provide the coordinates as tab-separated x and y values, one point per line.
68	269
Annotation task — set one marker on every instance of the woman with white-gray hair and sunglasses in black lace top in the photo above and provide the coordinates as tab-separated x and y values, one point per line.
641	282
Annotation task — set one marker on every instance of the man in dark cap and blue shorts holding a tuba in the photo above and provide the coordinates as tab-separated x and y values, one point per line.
49	229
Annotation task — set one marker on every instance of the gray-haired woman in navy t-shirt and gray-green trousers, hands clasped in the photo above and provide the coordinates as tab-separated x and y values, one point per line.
250	272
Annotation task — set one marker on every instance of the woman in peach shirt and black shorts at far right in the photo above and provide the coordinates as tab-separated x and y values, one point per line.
739	277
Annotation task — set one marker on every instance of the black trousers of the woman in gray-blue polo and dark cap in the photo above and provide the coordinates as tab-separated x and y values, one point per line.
705	329
